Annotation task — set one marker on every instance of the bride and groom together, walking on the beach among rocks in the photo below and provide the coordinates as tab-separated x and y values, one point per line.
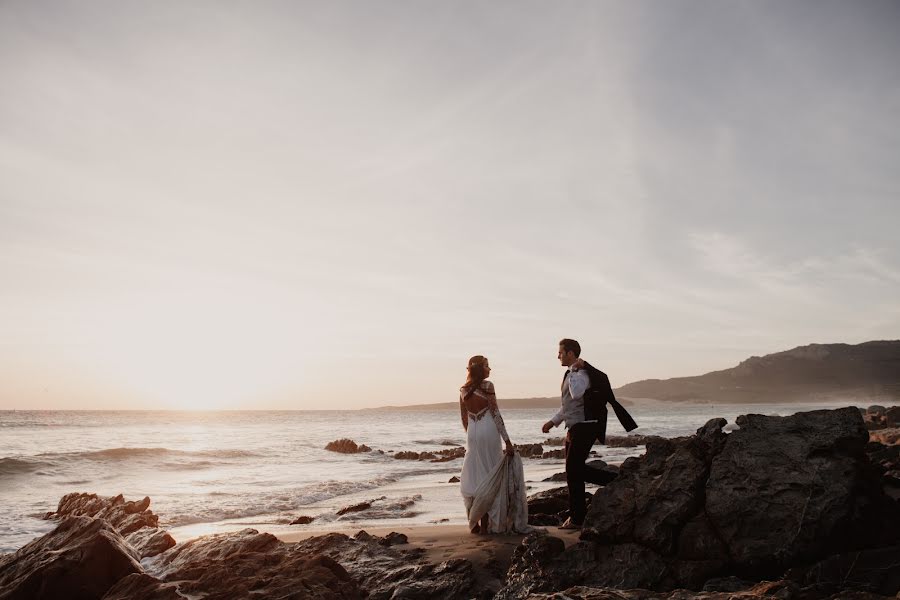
493	482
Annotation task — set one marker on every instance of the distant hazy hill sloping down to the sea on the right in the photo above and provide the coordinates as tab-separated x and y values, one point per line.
868	371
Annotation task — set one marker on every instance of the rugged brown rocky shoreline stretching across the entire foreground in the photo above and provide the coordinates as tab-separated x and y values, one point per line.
802	507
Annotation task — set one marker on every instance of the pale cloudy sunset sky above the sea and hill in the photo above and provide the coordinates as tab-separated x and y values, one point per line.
318	205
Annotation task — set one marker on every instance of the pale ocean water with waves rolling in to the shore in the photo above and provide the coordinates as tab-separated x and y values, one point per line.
211	472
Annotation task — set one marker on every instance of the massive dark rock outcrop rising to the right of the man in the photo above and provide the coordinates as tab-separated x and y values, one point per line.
777	493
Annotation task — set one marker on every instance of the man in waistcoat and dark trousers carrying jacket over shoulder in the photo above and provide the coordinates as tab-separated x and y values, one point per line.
586	423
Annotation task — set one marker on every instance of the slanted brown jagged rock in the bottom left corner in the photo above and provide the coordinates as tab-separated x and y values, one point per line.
81	559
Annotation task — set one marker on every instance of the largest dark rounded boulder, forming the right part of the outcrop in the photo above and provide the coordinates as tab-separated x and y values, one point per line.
793	489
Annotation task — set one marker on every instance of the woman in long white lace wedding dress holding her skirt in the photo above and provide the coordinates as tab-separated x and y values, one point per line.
492	481
